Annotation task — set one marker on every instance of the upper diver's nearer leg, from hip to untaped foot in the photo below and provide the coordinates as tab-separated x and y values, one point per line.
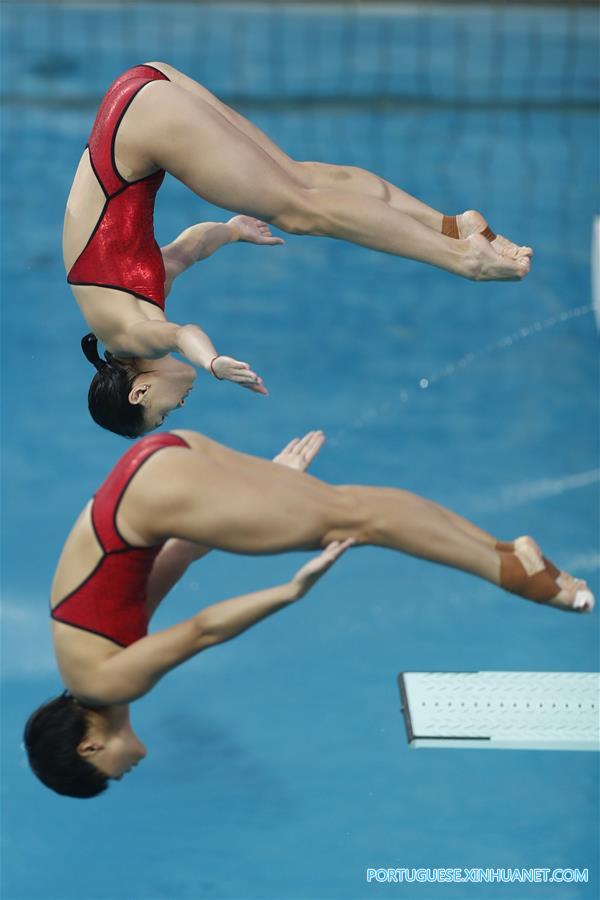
177	130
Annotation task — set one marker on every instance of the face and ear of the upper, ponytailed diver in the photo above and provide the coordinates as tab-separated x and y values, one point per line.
161	387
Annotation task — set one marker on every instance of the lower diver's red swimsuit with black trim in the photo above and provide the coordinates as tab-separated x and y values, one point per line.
111	601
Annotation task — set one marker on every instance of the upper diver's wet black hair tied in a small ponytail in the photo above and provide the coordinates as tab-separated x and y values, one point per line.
108	396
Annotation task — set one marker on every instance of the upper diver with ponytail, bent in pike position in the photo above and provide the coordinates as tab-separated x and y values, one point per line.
155	119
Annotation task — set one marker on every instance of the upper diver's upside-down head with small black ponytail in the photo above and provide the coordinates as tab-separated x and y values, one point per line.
133	396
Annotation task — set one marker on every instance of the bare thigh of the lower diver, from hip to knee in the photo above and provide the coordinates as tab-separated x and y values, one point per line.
240	504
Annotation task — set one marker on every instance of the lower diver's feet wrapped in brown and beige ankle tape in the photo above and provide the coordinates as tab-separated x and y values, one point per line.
538	579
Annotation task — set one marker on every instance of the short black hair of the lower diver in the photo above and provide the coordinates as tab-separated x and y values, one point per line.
51	737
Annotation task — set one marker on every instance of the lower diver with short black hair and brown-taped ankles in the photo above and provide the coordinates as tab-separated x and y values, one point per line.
167	502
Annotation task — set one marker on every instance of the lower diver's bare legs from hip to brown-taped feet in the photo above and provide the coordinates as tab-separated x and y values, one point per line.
245	505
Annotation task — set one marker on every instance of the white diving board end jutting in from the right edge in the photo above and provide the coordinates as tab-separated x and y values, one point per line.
502	710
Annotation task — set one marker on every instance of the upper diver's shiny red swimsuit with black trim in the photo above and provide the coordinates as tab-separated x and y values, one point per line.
122	252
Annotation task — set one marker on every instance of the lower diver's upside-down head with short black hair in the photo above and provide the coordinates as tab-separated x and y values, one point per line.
75	750
